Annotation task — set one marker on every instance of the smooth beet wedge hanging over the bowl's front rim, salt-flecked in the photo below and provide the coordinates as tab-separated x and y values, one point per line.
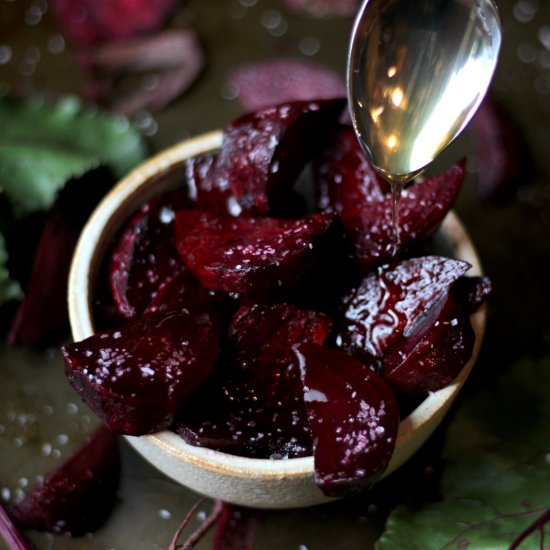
353	416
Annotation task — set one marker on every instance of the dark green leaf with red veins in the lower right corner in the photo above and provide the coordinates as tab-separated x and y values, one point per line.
497	479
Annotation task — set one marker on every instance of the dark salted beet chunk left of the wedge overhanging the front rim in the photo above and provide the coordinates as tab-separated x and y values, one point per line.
259	408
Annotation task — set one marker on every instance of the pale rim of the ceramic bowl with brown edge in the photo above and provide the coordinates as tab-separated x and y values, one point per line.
91	247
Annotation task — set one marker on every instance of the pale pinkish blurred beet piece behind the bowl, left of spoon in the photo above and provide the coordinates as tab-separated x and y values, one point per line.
267	83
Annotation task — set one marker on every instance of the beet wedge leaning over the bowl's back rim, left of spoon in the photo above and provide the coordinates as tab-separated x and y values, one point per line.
263	152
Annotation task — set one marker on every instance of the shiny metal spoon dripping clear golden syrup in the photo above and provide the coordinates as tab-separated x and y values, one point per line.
417	72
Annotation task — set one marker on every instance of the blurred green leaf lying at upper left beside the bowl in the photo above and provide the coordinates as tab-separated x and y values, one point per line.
44	144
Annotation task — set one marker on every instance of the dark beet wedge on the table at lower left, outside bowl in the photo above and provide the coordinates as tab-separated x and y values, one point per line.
79	496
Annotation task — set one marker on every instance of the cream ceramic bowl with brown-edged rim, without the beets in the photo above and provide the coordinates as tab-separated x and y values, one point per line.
260	483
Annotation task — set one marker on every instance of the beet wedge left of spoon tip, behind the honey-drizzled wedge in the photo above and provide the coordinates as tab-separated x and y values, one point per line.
344	178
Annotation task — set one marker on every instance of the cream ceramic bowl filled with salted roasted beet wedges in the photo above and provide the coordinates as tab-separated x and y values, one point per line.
239	314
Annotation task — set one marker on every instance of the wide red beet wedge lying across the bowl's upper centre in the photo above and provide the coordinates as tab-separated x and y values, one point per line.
256	259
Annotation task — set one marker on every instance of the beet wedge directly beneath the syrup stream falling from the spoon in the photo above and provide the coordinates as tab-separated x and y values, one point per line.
423	207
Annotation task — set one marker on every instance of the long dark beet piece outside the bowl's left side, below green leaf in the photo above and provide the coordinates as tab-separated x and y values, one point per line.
42	316
